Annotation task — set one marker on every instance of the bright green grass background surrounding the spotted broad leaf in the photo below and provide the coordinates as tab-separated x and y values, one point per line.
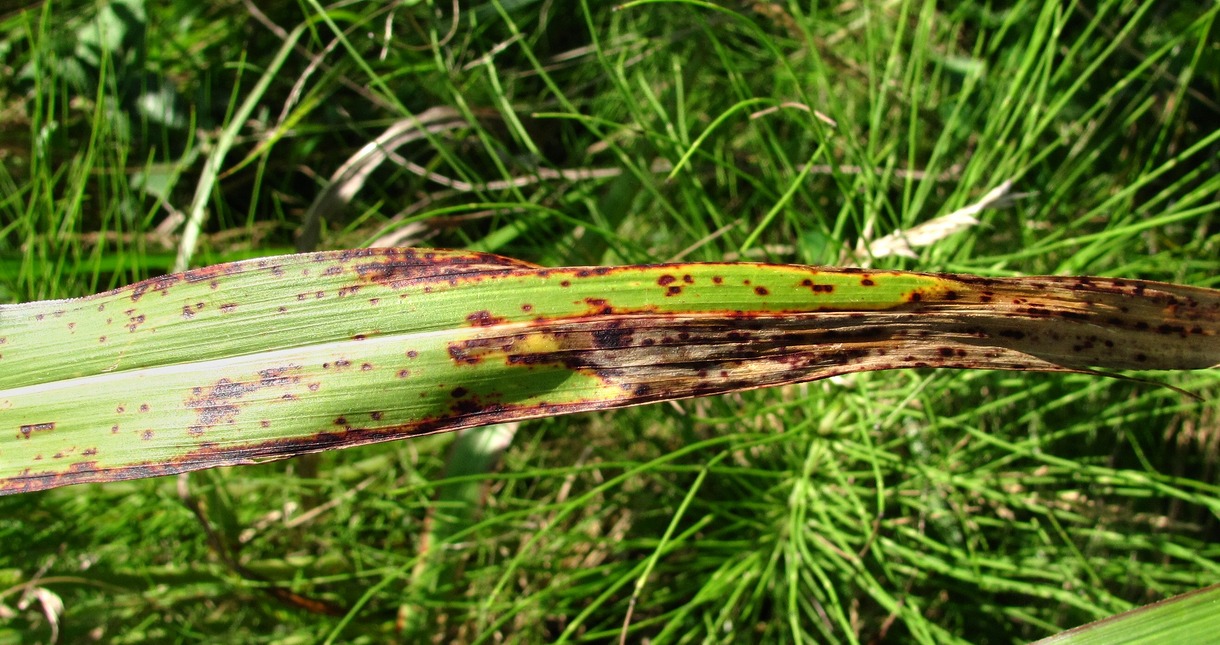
910	507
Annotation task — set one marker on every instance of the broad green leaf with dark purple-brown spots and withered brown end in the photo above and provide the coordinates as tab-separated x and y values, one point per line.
280	357
